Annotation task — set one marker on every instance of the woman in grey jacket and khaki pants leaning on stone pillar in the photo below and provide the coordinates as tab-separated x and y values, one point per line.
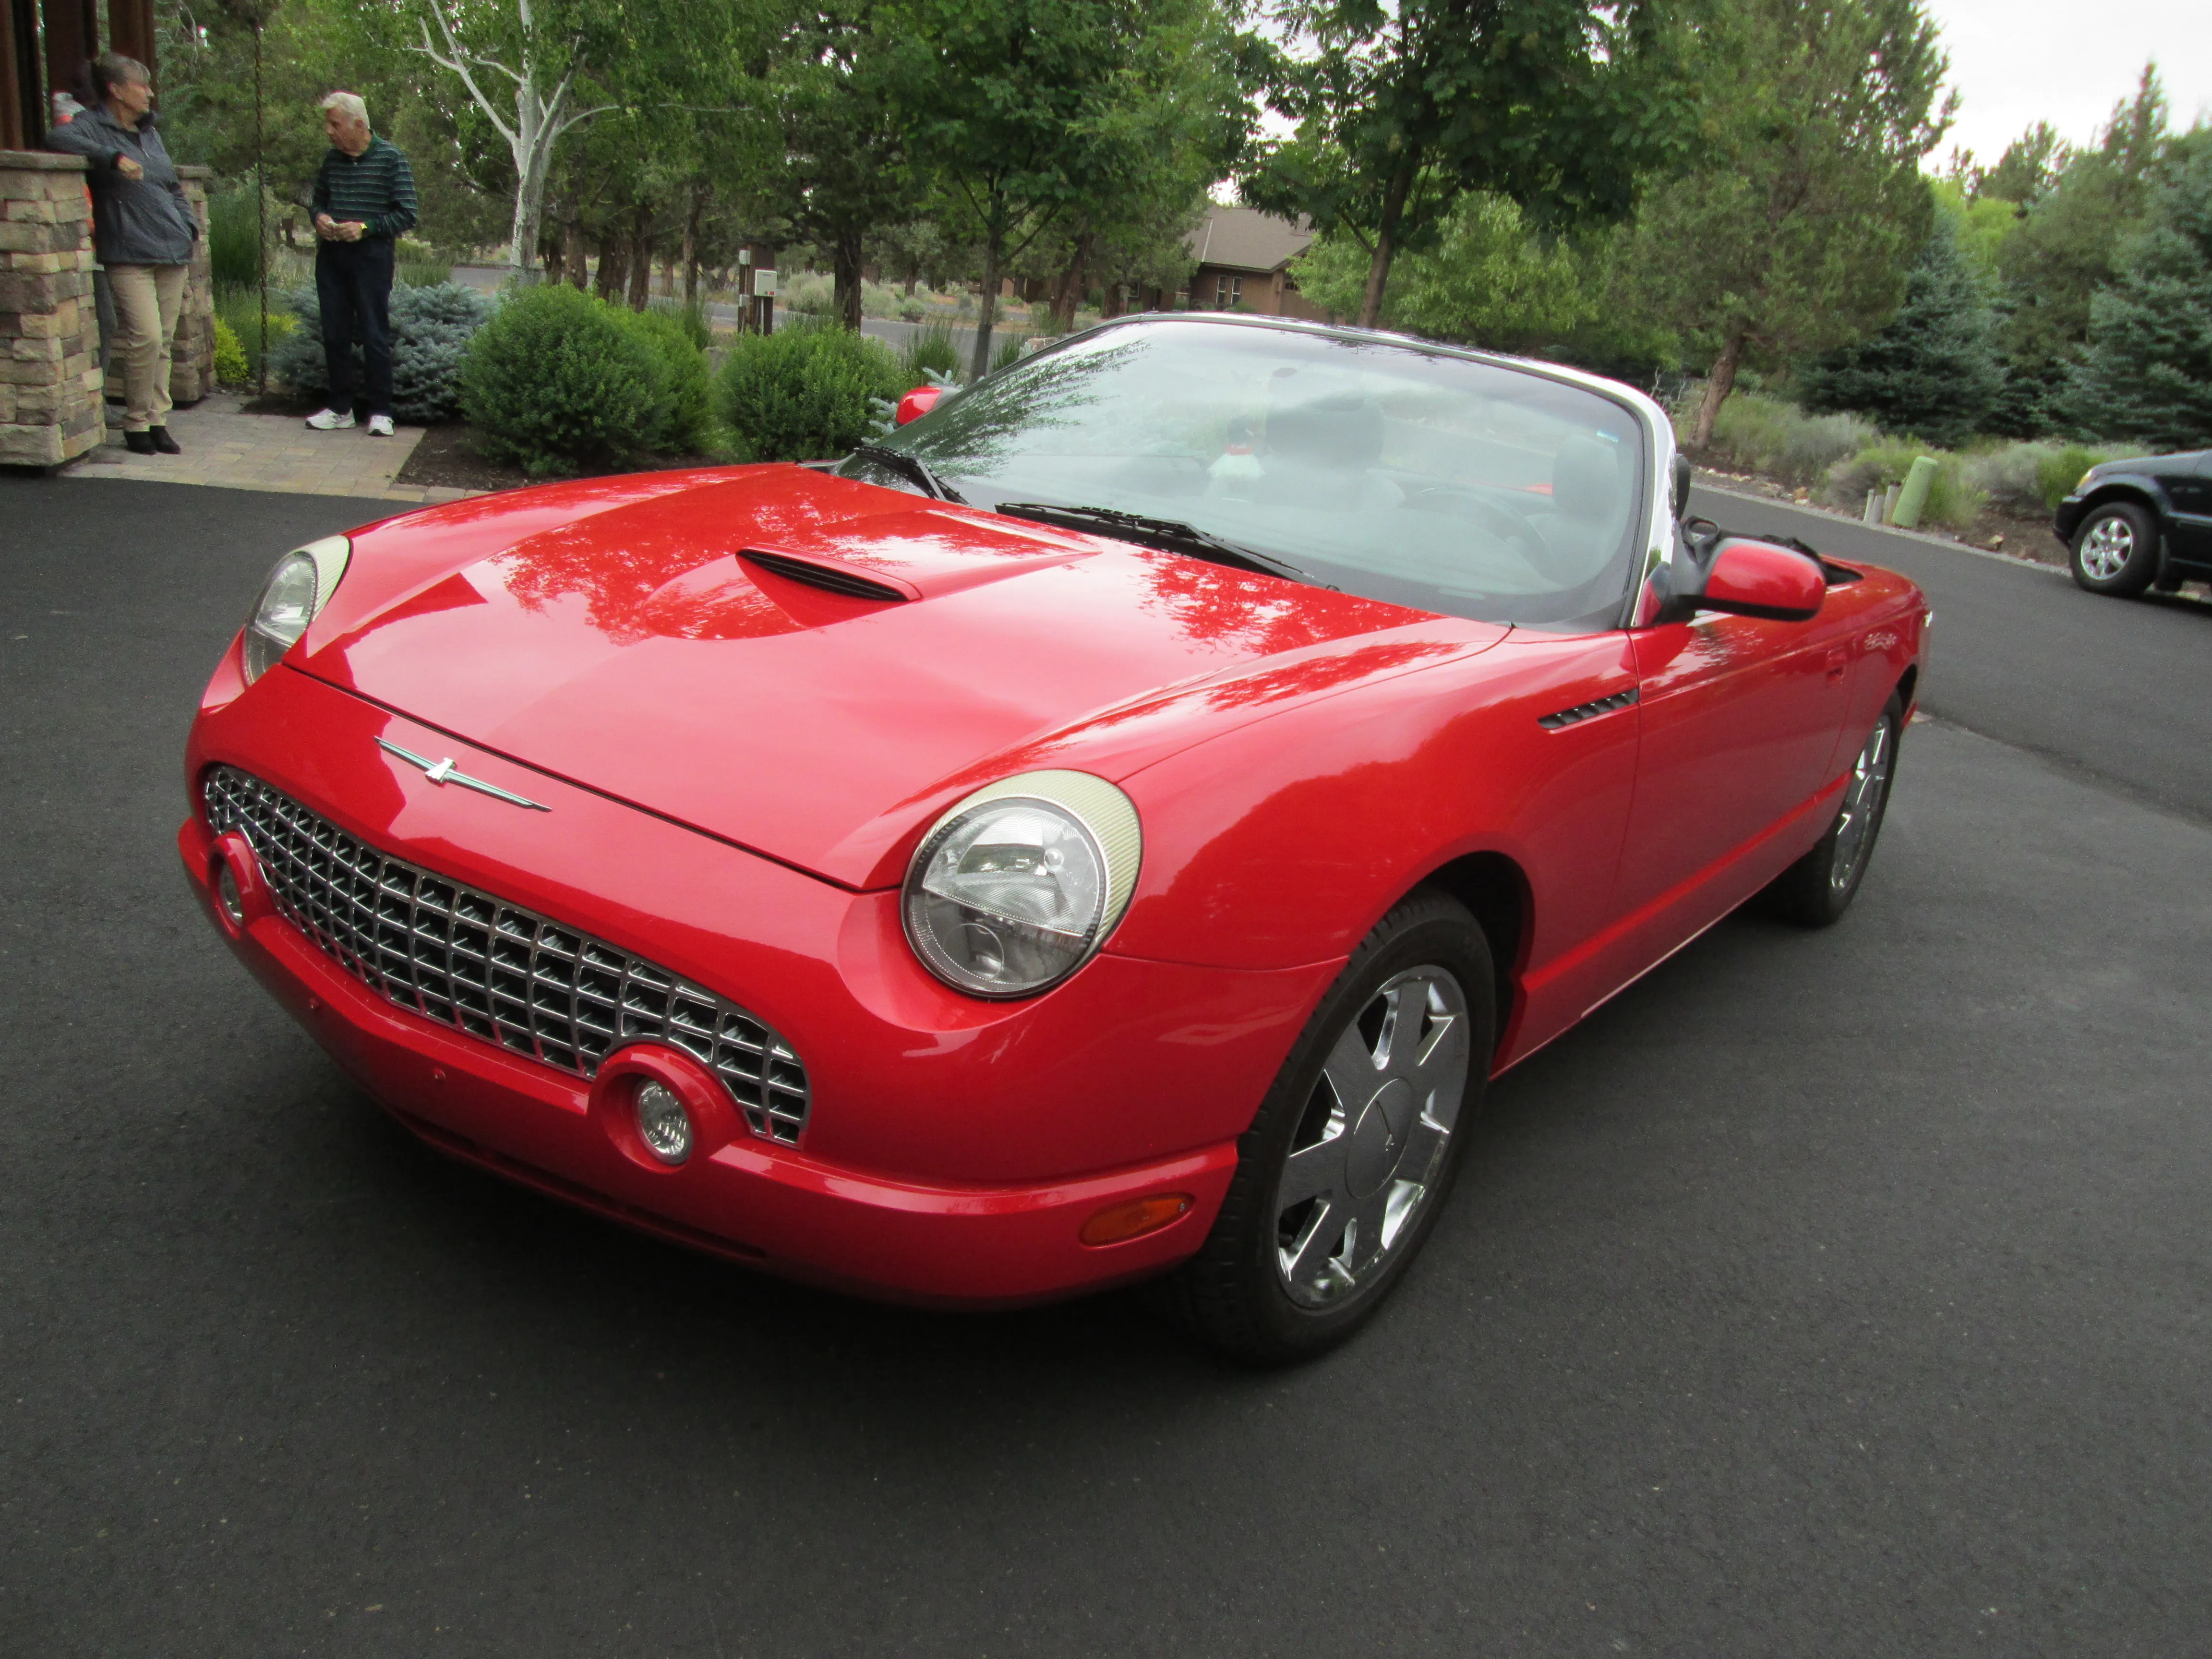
143	233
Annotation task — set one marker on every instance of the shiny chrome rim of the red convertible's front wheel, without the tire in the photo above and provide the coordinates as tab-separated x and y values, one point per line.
1373	1138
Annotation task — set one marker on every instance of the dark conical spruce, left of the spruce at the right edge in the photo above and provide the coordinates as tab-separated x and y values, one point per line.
1934	368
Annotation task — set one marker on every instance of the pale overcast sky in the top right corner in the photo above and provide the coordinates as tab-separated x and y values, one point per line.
2018	63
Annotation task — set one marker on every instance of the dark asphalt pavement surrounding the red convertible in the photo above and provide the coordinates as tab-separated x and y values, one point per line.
1826	1295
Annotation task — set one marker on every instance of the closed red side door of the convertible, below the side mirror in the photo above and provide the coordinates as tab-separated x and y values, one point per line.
1740	731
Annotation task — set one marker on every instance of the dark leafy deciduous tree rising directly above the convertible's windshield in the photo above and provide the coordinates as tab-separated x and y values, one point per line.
1556	105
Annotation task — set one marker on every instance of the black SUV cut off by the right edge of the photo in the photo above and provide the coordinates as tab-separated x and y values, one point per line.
2142	523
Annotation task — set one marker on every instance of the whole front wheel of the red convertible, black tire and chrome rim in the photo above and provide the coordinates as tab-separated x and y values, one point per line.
1355	1149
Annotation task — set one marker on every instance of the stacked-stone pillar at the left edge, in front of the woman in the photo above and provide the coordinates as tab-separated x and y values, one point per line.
50	342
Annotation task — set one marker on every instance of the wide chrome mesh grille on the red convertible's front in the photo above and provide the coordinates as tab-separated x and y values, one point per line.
497	970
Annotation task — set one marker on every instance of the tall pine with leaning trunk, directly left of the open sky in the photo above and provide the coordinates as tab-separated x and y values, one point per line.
1806	211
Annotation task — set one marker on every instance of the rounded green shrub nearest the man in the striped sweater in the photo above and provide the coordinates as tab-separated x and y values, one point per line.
561	382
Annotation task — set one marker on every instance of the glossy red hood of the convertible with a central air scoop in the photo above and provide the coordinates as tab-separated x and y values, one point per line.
813	667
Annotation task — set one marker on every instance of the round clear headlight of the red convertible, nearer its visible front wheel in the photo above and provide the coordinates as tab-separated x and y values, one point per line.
1023	881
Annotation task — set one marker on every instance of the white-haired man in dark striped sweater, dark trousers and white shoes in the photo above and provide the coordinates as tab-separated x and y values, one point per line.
364	200
